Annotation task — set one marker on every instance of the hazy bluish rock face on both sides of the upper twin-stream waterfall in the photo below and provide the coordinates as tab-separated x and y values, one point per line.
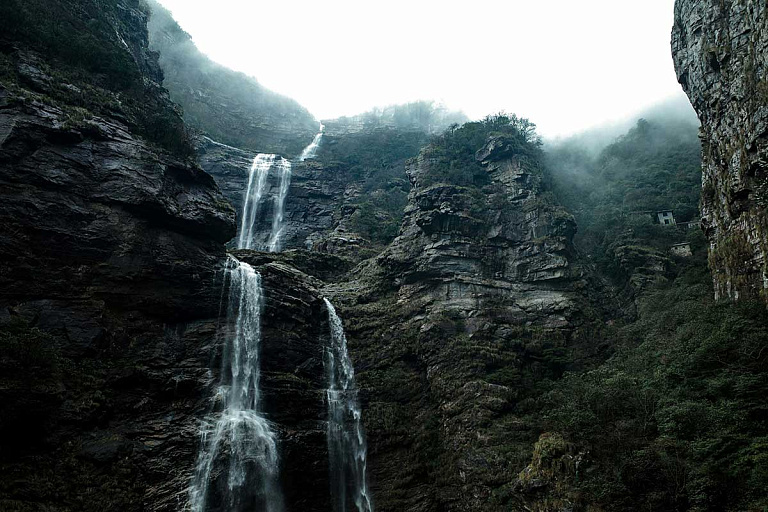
353	175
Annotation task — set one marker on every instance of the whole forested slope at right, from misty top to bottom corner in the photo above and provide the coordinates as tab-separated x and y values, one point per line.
676	418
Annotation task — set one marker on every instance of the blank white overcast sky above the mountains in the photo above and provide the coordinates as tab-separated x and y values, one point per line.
567	65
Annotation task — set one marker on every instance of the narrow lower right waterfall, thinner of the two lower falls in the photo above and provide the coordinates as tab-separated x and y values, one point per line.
347	448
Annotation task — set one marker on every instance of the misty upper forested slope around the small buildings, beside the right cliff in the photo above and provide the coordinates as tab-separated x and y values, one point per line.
615	194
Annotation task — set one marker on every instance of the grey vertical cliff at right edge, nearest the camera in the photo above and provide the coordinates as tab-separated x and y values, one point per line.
720	51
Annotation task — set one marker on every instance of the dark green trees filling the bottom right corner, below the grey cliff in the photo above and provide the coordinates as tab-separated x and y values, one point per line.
677	419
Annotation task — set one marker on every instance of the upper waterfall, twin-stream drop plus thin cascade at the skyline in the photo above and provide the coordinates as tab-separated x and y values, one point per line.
255	191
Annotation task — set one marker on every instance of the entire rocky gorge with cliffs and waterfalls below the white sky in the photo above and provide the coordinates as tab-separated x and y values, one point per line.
209	304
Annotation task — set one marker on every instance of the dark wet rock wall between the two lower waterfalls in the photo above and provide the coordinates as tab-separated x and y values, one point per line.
295	331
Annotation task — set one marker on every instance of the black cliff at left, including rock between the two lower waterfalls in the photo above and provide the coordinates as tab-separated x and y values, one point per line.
111	251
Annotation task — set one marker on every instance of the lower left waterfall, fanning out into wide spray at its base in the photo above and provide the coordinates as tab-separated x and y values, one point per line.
237	467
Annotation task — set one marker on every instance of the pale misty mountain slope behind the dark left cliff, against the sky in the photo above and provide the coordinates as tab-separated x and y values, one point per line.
230	107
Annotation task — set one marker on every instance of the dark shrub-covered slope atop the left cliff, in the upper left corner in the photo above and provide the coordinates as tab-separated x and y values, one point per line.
90	55
